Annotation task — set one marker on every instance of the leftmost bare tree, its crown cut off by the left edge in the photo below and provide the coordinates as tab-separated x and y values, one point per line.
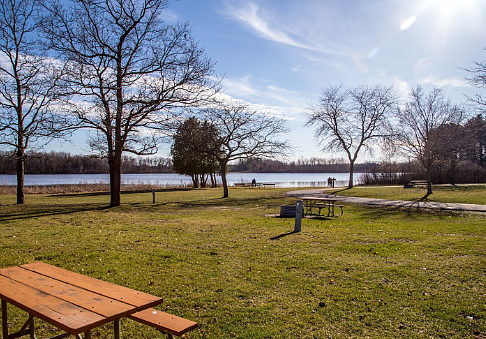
29	84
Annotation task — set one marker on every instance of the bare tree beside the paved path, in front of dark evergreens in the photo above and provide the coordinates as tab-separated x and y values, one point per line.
419	124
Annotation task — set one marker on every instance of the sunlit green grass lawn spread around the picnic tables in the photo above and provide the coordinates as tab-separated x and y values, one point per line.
241	273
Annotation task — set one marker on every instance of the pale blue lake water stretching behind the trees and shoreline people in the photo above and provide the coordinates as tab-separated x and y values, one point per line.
279	179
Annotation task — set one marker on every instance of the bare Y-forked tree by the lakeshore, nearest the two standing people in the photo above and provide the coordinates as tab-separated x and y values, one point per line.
350	120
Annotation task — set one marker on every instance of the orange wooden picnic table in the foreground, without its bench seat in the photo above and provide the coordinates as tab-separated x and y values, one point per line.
73	302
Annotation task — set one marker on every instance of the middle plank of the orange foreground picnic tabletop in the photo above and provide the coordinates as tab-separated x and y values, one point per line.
96	303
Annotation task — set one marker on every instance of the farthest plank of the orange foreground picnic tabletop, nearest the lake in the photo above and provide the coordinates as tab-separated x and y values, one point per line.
110	290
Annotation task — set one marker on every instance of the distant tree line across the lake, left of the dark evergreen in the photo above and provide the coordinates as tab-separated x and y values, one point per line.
66	163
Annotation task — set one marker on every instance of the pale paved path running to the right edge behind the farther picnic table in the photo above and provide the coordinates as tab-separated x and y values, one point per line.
391	203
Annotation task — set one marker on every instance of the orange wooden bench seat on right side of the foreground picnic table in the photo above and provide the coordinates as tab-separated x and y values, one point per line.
164	322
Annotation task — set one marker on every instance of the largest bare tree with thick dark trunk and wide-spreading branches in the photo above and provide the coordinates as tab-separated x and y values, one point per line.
128	71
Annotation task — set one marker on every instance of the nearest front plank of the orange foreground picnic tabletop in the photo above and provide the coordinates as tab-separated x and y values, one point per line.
62	314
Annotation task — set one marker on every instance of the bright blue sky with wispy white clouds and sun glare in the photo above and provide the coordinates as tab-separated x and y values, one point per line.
278	55
